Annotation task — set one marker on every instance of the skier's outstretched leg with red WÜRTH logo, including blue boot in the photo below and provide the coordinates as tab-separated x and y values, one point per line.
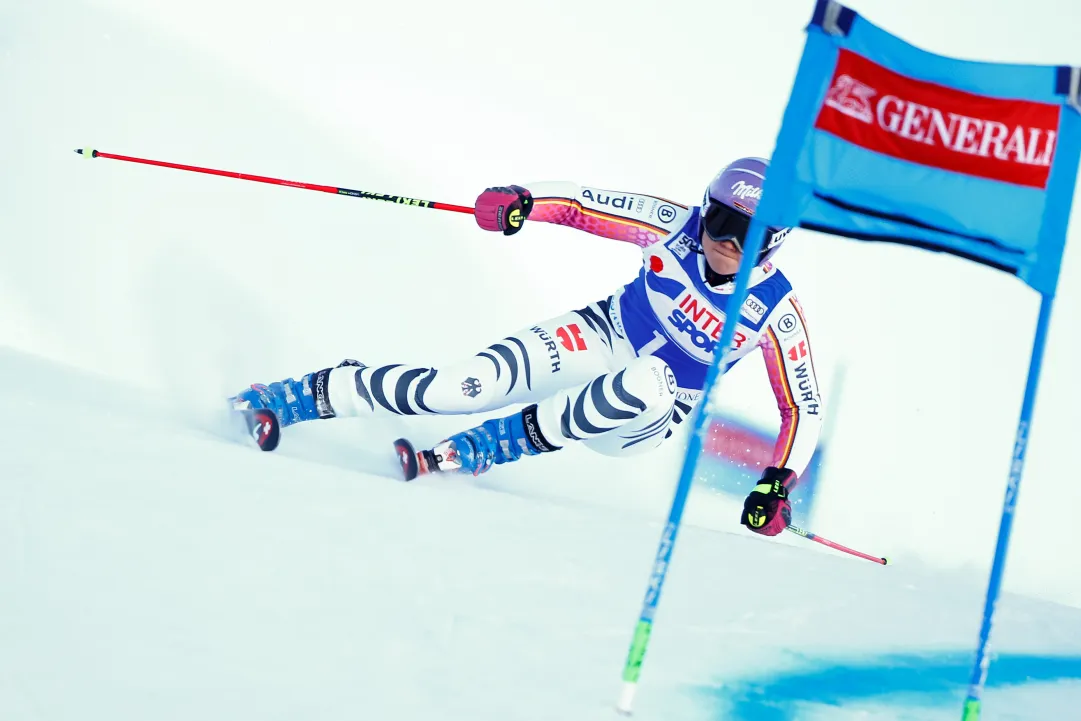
524	367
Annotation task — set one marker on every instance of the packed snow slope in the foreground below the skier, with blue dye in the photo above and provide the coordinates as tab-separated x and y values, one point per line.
157	567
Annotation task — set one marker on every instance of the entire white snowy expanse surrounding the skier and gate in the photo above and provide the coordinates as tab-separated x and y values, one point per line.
152	567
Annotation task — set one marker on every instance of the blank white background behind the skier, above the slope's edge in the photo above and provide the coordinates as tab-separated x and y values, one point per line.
439	101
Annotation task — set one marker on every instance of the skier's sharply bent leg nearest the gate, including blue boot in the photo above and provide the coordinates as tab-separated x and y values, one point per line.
620	412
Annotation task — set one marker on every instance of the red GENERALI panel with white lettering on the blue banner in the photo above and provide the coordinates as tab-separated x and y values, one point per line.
876	109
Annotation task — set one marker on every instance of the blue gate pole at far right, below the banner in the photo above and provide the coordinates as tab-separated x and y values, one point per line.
972	703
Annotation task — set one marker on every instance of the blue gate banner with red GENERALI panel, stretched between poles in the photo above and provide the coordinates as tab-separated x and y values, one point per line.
885	142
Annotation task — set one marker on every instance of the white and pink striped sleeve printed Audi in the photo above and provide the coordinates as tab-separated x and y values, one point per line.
629	217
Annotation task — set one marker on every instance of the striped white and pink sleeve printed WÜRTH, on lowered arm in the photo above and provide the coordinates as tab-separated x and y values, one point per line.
790	363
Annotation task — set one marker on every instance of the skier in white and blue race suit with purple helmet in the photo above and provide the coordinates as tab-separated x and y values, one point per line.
618	373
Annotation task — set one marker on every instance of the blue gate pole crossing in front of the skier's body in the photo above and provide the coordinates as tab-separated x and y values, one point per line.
706	408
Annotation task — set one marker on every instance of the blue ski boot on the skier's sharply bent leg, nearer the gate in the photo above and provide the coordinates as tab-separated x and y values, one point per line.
476	450
